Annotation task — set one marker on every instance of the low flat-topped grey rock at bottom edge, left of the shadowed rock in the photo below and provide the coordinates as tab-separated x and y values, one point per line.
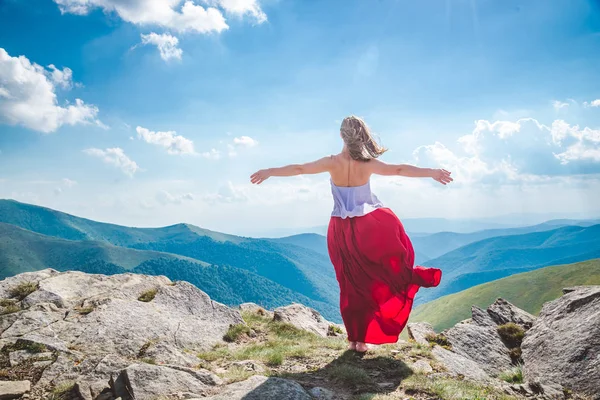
146	381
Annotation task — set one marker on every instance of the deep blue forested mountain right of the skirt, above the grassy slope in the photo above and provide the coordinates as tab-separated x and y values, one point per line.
502	256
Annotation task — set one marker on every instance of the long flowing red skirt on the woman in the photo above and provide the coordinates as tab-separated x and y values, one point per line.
374	265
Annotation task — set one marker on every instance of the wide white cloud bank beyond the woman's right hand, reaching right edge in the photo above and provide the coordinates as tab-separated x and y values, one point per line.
515	152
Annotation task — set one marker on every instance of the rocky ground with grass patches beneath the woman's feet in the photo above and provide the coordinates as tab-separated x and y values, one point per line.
93	337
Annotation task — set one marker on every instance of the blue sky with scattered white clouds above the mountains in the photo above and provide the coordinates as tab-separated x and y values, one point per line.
156	112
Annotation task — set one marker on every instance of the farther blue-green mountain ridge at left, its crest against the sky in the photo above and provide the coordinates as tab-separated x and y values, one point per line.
296	268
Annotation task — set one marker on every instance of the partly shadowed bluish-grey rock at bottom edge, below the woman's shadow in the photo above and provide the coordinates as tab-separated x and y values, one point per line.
262	388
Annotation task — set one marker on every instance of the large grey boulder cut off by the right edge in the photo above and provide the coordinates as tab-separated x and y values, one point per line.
563	345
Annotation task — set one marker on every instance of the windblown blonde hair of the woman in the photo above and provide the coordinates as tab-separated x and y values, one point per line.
359	141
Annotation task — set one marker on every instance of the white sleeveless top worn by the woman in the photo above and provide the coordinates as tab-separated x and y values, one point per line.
353	201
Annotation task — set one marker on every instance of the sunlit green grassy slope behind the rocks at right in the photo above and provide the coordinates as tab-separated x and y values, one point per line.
529	291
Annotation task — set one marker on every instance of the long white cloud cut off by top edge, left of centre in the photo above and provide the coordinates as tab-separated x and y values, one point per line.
163	13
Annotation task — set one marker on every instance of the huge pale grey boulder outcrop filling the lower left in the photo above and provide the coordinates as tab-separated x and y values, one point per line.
106	332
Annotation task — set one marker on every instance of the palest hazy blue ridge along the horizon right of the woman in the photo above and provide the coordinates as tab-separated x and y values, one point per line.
432	246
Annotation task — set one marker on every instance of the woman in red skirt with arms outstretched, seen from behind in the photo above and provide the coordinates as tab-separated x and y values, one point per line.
372	255
